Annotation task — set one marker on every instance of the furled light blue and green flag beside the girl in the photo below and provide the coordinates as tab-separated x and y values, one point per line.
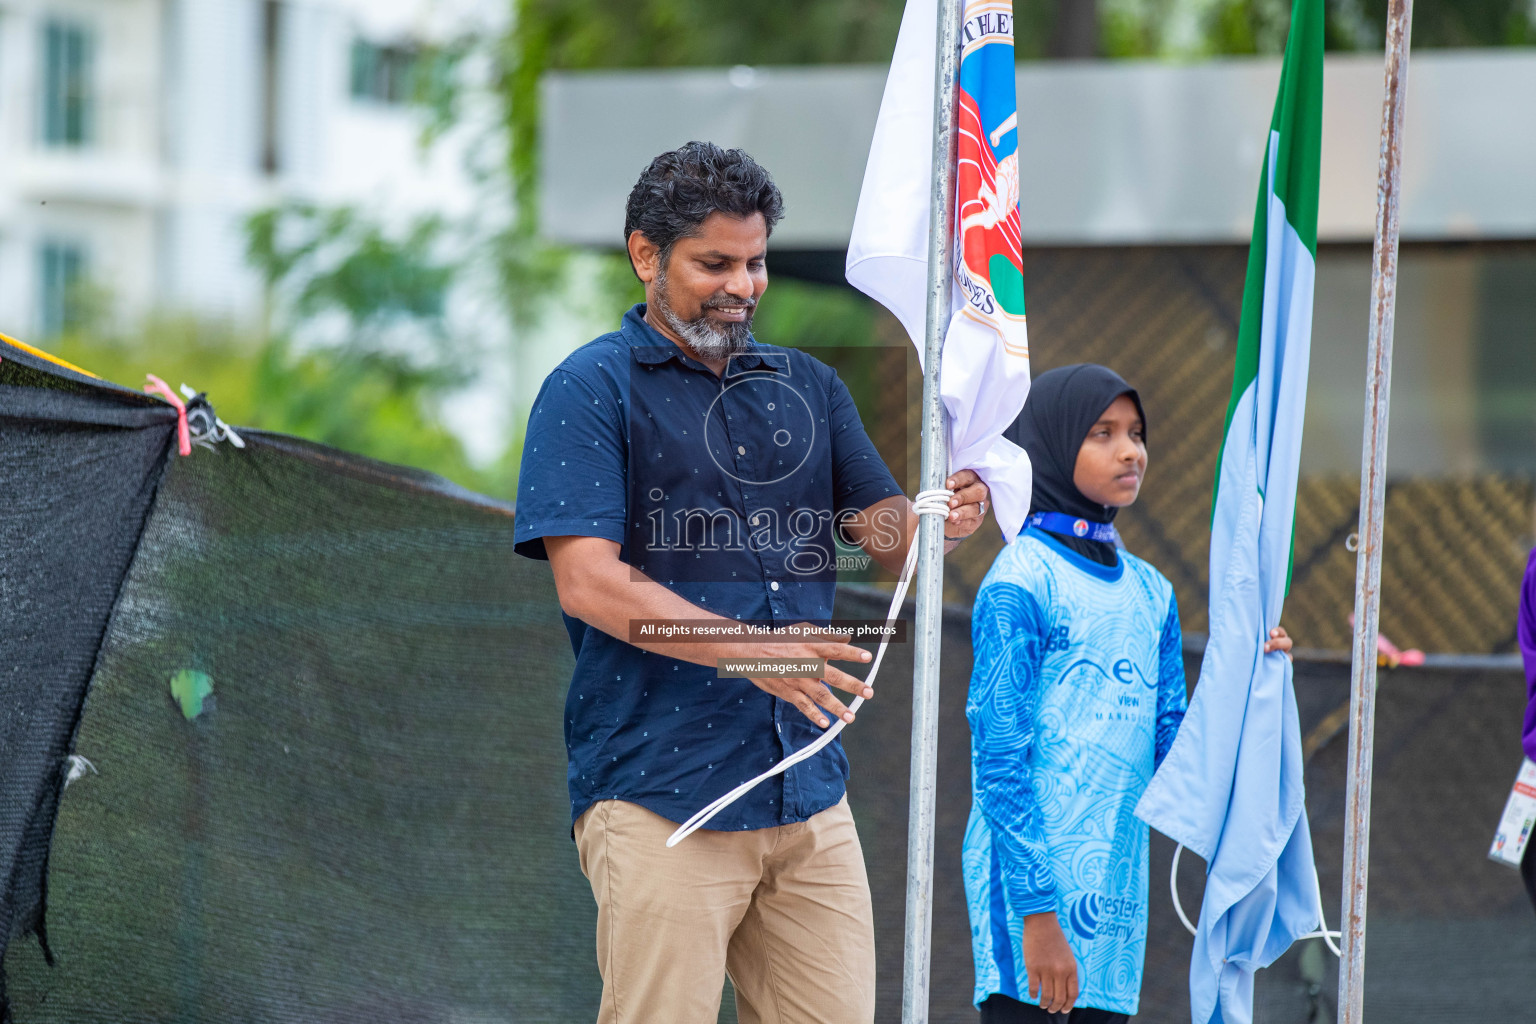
1231	788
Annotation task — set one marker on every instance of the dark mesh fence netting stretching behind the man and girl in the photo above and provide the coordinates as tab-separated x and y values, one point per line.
368	818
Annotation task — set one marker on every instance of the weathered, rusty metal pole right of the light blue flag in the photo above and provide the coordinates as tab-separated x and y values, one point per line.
1372	492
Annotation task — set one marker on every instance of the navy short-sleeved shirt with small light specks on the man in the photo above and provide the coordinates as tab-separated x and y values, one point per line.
727	491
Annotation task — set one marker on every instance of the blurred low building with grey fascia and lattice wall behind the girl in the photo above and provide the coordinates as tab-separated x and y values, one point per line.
1139	182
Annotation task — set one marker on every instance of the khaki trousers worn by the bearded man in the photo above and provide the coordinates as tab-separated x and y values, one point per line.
784	911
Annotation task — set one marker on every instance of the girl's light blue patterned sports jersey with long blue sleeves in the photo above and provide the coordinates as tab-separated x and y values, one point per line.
1076	696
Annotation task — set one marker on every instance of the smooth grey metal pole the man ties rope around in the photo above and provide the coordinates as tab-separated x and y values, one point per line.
932	535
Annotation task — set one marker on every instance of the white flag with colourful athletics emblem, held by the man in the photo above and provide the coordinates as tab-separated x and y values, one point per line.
985	374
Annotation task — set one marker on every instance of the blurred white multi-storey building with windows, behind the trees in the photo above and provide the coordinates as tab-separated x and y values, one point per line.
139	136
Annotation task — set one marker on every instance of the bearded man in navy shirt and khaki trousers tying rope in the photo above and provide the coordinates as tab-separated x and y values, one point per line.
680	474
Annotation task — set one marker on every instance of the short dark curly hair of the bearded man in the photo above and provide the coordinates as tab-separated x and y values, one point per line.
684	187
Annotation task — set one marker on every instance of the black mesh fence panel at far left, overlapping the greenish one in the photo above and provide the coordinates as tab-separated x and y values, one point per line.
79	466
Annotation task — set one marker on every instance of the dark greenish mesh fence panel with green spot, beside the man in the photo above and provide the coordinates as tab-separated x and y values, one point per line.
368	819
